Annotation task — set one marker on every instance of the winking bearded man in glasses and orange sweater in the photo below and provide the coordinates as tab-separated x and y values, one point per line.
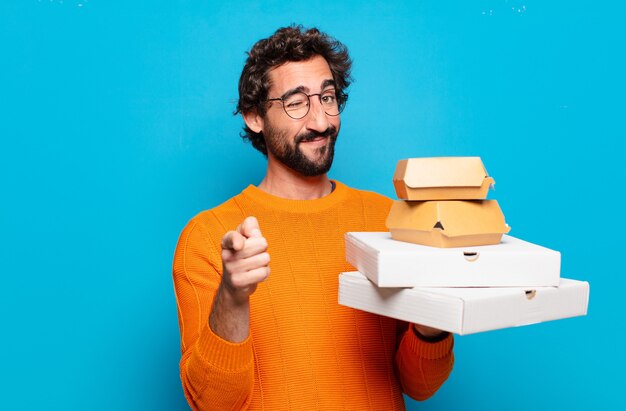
255	340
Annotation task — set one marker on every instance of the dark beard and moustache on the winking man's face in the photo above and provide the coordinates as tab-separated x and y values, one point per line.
291	155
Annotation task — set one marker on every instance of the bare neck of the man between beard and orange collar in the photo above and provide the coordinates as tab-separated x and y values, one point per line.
286	183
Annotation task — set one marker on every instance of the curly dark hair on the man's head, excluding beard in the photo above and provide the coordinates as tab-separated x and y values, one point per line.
287	44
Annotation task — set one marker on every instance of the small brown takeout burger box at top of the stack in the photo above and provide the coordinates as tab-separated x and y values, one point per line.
442	178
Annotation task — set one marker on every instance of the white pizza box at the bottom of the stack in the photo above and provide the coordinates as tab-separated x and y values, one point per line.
466	310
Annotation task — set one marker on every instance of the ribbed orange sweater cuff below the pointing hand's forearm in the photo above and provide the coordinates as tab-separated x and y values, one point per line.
222	354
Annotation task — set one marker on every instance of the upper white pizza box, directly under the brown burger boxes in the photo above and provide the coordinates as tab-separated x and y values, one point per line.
511	263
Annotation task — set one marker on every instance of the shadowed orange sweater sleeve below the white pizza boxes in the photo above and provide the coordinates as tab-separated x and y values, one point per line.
422	366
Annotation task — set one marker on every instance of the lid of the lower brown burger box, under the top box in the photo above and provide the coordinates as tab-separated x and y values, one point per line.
452	218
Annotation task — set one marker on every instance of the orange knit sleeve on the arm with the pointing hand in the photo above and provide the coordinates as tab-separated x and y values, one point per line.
216	374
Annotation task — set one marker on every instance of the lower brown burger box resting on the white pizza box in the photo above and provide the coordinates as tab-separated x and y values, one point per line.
447	223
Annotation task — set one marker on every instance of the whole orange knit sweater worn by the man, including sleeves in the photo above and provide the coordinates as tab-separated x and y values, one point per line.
305	351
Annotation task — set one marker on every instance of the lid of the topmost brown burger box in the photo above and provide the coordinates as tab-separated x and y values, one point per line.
431	172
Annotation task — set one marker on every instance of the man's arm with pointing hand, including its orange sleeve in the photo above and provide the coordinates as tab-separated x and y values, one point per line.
217	367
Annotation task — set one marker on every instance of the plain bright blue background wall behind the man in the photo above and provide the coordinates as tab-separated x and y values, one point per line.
117	127
